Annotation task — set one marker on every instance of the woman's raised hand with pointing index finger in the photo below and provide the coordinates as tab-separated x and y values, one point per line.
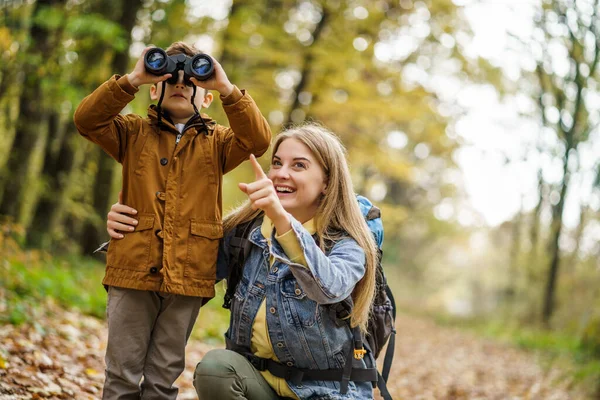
262	195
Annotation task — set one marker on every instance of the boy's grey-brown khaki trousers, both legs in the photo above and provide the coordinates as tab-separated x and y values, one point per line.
147	334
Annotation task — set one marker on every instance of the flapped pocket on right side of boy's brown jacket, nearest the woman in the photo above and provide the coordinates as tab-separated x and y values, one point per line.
203	247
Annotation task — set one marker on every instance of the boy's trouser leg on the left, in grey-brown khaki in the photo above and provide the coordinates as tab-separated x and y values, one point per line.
130	315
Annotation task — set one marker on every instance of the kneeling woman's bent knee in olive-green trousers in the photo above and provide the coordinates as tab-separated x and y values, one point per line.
224	375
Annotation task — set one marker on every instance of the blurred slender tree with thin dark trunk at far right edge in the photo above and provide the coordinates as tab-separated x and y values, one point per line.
571	29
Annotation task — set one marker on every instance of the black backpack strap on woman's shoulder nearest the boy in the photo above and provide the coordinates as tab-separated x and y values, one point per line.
240	247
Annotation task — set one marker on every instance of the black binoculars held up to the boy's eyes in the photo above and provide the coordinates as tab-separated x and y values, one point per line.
200	66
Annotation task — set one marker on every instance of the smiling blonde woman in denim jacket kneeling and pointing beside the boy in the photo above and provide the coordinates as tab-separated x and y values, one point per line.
312	249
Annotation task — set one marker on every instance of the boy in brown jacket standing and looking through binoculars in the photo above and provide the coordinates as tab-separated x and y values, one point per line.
173	163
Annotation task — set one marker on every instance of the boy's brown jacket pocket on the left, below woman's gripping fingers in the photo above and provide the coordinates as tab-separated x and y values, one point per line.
133	251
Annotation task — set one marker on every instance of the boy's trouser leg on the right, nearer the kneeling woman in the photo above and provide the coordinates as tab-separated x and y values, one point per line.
165	360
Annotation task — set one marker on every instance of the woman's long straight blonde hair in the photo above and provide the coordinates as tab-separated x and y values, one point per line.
338	213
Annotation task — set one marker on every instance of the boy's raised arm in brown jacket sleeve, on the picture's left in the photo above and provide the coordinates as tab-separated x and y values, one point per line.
97	116
